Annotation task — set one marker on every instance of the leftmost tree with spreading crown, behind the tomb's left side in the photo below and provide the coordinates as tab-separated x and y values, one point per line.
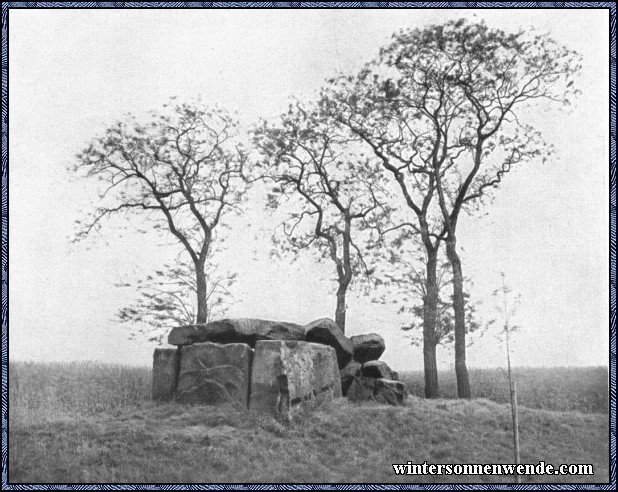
183	169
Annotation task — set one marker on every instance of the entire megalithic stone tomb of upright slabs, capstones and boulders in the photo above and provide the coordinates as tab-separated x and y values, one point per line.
272	367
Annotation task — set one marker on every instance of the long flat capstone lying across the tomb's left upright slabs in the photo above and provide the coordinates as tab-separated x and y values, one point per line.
239	330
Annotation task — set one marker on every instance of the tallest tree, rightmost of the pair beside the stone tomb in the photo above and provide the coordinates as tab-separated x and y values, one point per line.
474	86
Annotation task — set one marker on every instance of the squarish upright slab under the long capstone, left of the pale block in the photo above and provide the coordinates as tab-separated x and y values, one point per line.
215	374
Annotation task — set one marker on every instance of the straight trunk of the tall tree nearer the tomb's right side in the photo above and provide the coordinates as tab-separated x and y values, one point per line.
430	310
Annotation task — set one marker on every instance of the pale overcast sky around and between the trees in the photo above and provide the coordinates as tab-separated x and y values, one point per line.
73	72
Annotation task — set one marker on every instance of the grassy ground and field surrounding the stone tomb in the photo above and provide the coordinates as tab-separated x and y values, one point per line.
94	423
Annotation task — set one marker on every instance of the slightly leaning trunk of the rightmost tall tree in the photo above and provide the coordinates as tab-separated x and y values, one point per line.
459	306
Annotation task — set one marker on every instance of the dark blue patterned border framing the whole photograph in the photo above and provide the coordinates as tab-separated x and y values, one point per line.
5	253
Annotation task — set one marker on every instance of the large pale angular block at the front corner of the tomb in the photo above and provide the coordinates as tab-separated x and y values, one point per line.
291	375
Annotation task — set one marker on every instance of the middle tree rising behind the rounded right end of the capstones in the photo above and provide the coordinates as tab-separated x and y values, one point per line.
332	197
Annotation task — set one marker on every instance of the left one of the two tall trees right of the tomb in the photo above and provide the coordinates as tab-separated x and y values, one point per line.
362	108
